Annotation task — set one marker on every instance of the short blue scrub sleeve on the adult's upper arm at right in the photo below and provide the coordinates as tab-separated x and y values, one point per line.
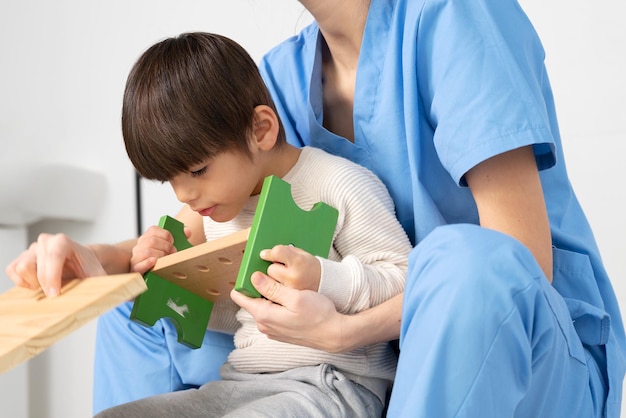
489	56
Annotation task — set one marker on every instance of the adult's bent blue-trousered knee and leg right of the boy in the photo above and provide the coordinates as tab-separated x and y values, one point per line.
485	335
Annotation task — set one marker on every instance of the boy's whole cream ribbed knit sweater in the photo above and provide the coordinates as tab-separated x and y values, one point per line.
366	266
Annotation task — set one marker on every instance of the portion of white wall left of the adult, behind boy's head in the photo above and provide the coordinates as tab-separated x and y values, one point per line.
64	65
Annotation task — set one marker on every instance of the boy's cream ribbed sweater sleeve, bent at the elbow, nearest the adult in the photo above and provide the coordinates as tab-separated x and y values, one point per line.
371	245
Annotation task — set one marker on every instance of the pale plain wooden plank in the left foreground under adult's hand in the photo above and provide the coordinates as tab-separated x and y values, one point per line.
31	322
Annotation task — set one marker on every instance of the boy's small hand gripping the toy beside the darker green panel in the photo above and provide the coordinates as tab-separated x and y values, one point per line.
154	243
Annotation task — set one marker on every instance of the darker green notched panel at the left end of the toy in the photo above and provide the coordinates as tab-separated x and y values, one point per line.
188	312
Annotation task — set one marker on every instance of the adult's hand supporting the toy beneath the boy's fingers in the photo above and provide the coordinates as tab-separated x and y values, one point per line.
301	317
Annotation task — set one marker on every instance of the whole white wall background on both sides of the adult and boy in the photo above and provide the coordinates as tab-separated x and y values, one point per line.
64	65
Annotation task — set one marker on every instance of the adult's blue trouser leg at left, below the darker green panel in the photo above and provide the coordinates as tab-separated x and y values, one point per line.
134	361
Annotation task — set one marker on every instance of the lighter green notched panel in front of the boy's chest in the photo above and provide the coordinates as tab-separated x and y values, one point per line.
279	220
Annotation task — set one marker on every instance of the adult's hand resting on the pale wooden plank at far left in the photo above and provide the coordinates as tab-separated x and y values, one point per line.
51	259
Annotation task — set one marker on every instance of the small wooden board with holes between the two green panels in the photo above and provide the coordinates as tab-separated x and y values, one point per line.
209	270
